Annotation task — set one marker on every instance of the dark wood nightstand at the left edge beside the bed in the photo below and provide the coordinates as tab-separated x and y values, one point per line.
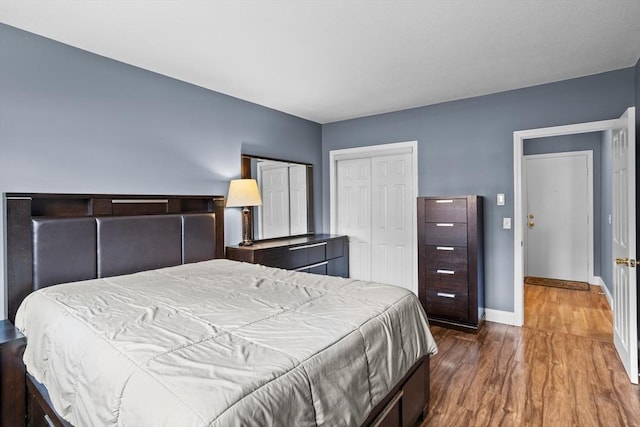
12	375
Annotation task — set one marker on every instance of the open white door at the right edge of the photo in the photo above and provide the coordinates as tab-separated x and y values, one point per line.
625	307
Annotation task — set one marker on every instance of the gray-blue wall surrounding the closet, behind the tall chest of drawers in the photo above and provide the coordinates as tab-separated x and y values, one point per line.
466	147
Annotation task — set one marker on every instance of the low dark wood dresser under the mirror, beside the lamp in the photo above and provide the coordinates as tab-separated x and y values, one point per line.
318	253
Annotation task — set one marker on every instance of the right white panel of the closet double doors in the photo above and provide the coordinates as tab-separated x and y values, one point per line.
392	232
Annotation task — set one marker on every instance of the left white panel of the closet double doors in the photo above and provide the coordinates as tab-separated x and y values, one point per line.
354	213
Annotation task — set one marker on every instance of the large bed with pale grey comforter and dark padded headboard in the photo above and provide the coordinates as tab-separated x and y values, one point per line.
147	325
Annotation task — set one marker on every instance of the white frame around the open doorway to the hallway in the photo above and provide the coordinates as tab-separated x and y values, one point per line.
518	200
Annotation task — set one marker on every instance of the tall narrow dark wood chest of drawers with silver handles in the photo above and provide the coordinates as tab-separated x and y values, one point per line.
451	260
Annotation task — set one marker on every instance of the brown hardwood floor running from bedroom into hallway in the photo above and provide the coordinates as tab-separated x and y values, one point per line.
560	369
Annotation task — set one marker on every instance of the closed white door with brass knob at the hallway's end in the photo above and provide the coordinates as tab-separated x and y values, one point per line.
557	216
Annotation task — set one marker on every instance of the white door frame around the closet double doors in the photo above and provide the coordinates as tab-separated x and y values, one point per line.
407	147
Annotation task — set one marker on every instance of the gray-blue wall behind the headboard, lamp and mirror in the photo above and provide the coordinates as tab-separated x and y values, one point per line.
75	122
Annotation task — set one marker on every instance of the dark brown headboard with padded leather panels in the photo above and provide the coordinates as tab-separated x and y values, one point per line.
57	238
